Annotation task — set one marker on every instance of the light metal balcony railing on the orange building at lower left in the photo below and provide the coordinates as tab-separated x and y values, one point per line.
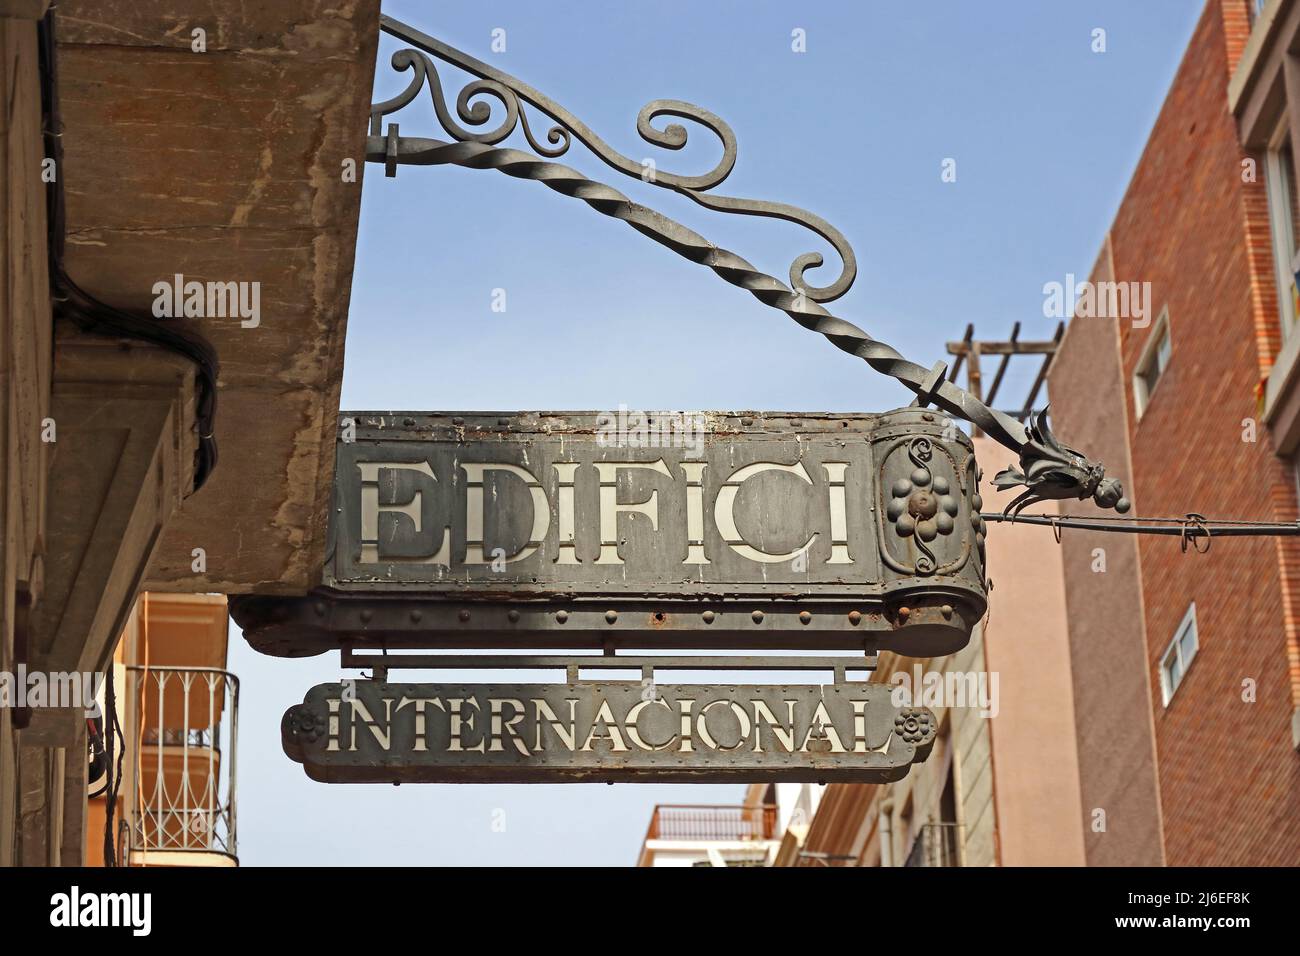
184	752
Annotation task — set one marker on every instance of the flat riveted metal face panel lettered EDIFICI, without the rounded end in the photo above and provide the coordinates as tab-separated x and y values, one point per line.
613	505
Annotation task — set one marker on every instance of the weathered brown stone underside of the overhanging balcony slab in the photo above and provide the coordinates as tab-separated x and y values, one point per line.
226	165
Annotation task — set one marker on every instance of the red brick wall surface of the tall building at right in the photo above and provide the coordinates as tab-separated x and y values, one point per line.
1229	777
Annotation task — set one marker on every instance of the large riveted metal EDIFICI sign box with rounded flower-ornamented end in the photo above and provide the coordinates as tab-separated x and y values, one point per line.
738	530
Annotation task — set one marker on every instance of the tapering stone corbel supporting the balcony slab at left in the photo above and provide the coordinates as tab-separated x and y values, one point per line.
123	462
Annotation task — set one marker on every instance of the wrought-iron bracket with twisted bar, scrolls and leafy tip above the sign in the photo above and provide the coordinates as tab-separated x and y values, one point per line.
1048	469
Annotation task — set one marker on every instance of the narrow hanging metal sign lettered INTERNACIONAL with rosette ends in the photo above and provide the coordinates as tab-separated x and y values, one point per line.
374	732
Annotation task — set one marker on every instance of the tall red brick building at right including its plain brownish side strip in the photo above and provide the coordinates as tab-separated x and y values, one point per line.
1186	667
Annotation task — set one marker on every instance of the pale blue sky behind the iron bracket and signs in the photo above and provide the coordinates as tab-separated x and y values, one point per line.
1045	132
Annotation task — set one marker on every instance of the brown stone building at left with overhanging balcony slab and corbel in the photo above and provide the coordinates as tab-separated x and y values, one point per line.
125	410
